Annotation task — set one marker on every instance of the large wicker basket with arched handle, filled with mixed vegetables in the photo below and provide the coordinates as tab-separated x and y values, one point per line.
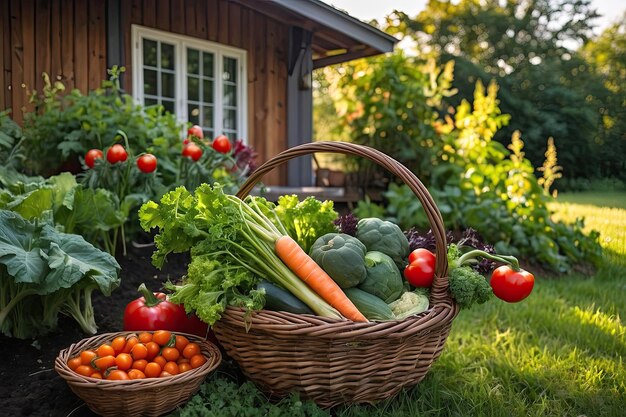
339	361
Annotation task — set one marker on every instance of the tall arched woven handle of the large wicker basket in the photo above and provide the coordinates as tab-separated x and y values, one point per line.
440	284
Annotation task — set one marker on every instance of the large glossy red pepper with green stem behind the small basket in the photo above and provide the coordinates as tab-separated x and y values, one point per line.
154	312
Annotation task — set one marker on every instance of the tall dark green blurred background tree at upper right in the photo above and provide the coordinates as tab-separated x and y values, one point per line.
526	46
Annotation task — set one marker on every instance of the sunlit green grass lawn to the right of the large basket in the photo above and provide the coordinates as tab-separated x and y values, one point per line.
559	353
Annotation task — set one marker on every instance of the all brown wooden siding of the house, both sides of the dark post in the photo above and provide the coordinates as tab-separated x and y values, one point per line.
67	39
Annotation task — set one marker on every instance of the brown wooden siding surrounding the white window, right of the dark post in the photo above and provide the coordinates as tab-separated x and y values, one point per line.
266	40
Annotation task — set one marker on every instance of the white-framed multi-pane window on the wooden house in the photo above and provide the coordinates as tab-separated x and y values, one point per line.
201	82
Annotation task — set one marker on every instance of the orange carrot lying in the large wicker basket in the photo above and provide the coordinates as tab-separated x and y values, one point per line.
315	277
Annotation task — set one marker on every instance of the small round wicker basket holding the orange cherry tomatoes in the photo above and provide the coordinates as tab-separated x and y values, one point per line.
140	397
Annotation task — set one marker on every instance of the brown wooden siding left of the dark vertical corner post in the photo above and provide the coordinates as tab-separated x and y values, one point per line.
64	38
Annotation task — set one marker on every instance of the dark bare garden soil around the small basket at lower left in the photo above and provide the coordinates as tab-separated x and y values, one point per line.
29	385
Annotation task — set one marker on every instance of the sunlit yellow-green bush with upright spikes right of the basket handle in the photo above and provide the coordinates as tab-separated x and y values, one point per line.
478	183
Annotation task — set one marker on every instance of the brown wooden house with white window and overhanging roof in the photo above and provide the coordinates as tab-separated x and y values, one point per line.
239	67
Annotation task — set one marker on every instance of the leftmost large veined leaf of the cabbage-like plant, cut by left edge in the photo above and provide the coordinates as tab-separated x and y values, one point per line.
19	248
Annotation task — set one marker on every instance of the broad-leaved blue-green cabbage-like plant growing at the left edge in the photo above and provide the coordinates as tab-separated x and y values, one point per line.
44	272
